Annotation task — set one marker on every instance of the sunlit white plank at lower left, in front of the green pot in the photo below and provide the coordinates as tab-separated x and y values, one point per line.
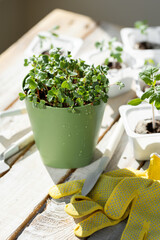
23	189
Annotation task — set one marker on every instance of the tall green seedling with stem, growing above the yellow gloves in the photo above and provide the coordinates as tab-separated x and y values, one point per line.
150	75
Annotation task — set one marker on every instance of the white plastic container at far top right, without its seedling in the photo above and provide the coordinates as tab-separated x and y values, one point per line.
130	36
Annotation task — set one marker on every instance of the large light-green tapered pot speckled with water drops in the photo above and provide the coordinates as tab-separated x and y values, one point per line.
65	139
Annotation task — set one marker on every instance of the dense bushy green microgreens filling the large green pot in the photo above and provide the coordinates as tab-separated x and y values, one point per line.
60	81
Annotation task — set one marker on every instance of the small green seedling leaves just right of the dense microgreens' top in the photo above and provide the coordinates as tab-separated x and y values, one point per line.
115	52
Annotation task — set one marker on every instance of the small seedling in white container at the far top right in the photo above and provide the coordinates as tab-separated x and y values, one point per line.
142	41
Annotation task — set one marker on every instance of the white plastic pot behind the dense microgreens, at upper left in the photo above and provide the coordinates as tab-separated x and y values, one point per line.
66	43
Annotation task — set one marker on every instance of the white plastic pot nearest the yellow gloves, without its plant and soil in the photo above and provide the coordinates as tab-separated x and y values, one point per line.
143	144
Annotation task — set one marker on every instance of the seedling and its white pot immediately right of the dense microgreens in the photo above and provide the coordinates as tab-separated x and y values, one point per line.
119	63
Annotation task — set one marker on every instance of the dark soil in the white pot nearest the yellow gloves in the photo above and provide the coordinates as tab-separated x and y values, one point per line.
145	127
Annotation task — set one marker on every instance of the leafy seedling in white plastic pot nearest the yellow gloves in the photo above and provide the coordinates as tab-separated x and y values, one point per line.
142	123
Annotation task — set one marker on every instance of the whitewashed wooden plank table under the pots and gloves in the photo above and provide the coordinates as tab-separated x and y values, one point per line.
26	210
